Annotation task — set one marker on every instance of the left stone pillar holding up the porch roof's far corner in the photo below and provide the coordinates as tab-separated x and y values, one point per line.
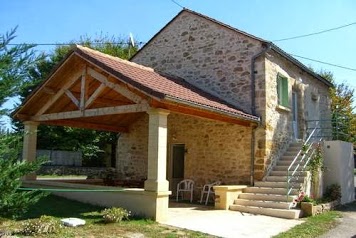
29	145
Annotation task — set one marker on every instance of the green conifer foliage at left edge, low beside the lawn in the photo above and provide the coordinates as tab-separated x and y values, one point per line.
13	202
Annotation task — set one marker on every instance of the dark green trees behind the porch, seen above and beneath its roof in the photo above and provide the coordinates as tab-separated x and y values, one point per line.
90	142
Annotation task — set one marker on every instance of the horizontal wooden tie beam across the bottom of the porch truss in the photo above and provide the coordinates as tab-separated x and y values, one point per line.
93	112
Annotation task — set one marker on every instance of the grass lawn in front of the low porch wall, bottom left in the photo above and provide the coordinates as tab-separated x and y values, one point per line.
62	208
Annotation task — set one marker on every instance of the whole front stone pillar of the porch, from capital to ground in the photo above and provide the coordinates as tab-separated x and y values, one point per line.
156	185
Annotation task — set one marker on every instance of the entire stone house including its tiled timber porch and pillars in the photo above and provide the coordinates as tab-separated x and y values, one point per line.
200	100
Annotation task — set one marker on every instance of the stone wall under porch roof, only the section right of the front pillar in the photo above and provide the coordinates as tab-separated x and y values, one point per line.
215	150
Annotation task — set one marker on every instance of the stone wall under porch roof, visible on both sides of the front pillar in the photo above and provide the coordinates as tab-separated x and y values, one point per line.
215	150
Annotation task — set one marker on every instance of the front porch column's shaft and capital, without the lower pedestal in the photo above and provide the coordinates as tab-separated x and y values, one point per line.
157	151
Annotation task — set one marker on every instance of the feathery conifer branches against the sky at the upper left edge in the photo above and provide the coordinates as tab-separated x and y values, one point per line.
15	62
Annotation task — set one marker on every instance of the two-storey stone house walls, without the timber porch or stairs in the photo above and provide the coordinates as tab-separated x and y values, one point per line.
254	76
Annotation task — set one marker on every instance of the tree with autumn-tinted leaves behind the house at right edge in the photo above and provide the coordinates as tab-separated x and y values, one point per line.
343	118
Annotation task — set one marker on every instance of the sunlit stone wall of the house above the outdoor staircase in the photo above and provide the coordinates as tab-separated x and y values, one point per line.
276	130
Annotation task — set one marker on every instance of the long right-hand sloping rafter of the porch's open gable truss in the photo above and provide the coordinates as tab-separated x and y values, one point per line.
121	90
